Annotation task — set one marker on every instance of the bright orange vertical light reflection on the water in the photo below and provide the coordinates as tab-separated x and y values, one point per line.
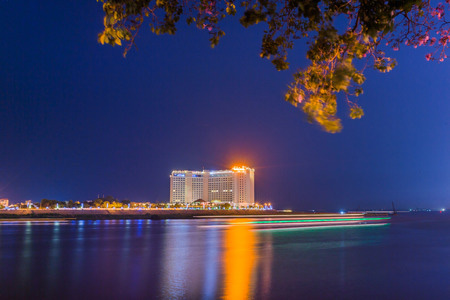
239	261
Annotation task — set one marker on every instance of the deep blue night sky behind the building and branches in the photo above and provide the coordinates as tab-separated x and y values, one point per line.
78	120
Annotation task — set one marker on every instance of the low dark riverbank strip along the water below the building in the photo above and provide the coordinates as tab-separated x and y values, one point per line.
113	214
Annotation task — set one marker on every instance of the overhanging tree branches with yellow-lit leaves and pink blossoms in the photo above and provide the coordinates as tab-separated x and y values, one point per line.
345	37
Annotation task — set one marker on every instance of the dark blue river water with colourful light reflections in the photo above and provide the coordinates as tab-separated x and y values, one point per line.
195	259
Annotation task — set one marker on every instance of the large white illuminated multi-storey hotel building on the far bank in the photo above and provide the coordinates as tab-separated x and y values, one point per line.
235	186
